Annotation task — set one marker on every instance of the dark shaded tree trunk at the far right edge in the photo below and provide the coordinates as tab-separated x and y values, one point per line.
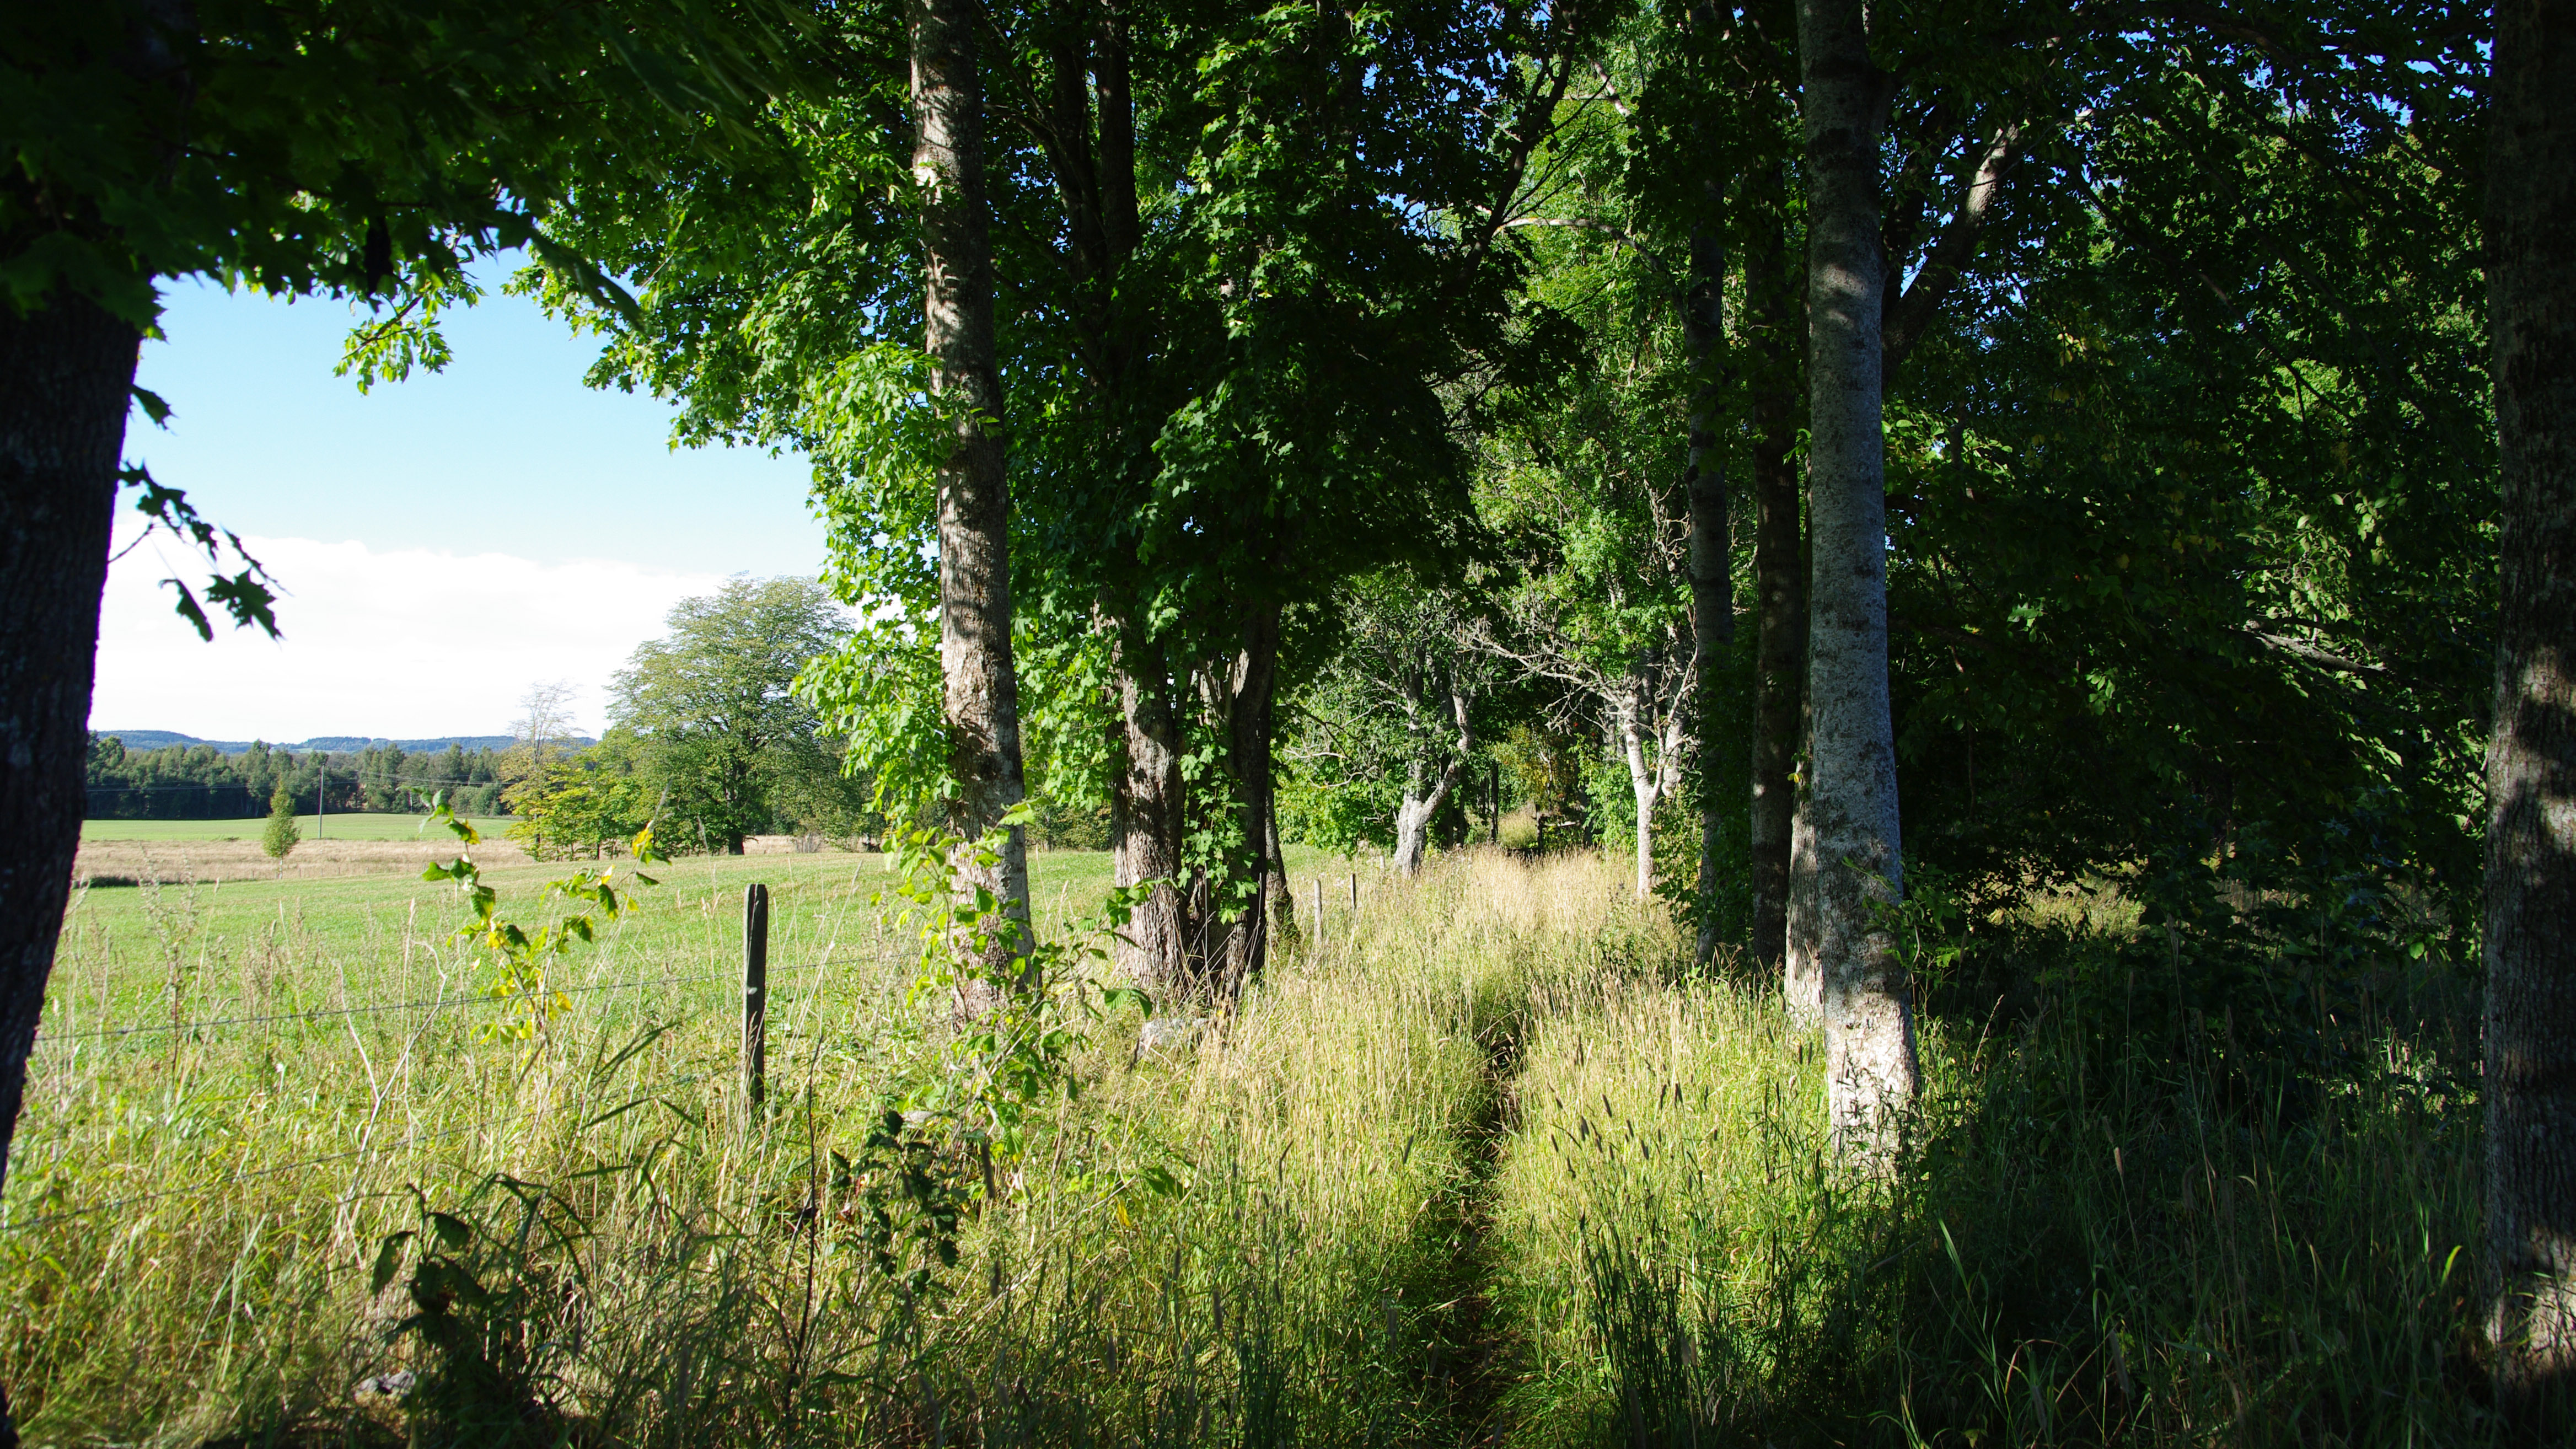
2531	759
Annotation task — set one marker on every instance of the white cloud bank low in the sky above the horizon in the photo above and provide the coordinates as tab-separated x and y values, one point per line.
403	643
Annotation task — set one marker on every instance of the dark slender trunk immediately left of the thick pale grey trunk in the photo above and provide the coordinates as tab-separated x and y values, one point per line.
1779	587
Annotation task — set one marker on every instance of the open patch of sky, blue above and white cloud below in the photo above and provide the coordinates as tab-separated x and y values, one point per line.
447	543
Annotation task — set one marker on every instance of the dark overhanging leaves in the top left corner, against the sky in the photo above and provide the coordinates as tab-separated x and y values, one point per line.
341	148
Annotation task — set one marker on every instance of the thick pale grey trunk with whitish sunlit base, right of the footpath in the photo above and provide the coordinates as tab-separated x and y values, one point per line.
1848	829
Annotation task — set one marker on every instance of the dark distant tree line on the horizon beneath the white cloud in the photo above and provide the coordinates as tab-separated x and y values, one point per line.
200	783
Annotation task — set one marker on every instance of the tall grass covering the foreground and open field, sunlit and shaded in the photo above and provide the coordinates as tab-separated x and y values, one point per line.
1485	1167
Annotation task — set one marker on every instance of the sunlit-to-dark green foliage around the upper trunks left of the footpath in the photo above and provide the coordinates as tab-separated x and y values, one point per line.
1212	422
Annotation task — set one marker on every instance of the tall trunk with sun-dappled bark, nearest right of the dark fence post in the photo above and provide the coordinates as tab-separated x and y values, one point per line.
983	692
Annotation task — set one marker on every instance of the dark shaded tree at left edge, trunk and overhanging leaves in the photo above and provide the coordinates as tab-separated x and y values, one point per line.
316	146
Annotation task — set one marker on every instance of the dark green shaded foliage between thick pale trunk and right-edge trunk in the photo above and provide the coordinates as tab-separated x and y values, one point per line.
2211	576
